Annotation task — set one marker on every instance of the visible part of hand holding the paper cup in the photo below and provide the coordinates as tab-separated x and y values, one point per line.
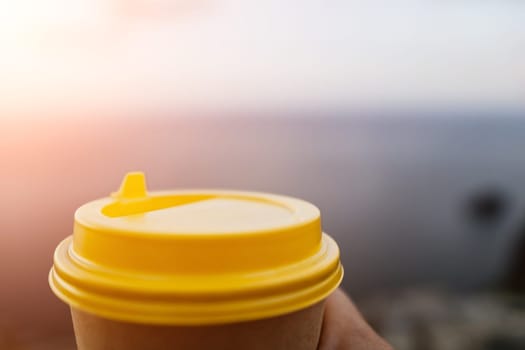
345	329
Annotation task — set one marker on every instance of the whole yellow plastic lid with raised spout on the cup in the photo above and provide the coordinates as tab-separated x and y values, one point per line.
194	257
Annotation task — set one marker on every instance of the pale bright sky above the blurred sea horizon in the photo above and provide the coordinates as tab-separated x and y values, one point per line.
57	56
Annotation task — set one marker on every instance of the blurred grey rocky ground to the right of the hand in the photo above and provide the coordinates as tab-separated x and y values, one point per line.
435	320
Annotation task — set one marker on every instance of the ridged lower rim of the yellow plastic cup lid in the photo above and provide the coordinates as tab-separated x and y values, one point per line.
265	293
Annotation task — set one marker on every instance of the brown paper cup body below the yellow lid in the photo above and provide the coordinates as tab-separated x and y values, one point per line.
298	330
